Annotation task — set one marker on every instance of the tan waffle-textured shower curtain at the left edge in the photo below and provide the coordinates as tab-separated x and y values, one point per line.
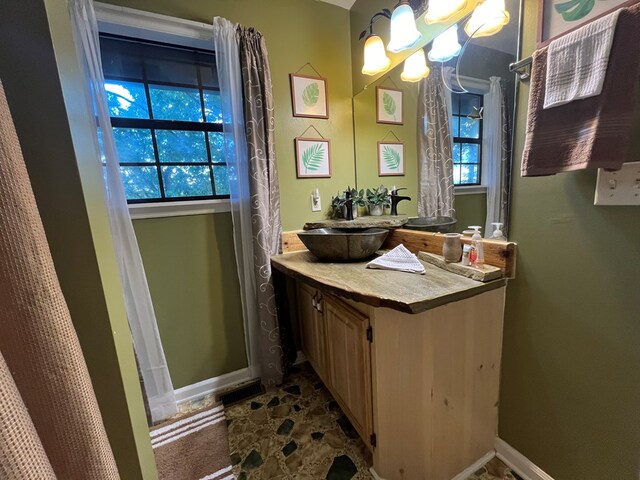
50	424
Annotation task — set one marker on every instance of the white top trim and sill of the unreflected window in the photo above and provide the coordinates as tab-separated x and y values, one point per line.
175	31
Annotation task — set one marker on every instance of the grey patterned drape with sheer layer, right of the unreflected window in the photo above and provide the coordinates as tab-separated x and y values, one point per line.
247	108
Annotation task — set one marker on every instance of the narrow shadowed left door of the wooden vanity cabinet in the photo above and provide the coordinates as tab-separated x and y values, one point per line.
312	328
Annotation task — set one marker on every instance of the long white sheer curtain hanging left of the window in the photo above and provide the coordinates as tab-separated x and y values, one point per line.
142	321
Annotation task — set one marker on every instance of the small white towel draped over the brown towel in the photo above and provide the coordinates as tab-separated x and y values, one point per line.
577	62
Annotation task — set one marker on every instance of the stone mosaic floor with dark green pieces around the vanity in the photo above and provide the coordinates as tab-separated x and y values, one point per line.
297	431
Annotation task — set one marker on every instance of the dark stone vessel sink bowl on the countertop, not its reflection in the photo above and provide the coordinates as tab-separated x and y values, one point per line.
343	245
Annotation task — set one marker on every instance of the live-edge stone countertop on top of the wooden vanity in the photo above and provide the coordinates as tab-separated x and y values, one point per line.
406	292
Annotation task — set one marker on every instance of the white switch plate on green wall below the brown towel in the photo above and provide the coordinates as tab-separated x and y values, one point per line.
620	187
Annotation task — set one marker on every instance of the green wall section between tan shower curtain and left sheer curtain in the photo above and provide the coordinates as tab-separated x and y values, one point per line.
40	75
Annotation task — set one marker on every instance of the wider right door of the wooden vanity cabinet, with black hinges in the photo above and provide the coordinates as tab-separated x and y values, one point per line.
349	363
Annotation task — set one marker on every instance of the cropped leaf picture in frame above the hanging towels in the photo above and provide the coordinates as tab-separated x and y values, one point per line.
553	23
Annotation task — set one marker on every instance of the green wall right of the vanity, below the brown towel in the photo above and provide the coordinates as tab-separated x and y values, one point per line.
570	385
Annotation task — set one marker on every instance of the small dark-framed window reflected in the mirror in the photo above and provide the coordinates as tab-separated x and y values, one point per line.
466	128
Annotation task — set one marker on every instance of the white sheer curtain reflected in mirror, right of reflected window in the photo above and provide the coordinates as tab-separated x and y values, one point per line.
495	149
